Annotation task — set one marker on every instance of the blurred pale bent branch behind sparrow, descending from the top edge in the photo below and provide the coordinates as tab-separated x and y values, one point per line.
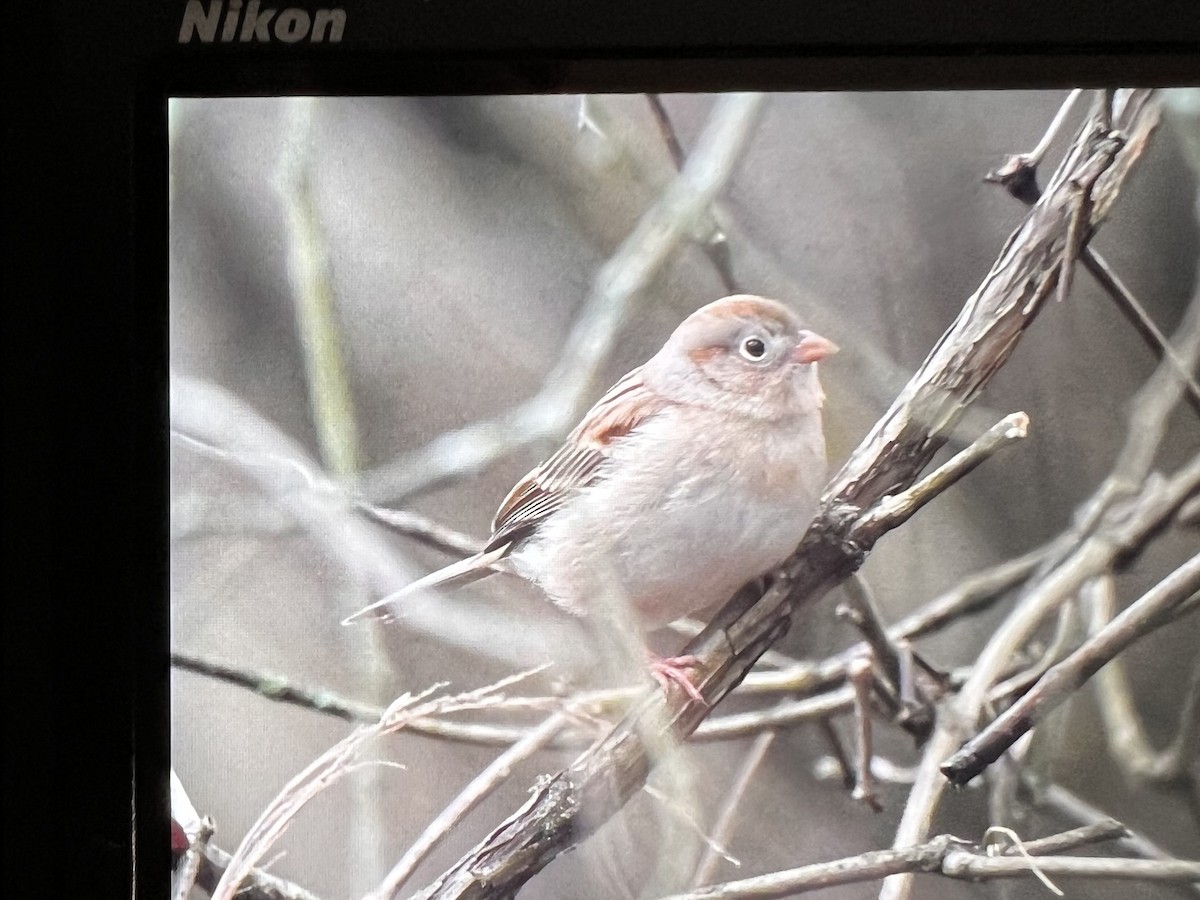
572	383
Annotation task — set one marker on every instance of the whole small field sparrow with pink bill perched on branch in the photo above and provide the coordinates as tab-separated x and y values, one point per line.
694	475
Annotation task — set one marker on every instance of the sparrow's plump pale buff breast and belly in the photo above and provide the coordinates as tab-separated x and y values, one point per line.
686	512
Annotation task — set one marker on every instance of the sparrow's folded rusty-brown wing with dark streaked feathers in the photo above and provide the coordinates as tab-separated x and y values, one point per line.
577	464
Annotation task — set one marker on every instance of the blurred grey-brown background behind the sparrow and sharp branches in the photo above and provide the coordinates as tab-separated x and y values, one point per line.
356	279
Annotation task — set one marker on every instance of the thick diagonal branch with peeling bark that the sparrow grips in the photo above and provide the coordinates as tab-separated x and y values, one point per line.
567	808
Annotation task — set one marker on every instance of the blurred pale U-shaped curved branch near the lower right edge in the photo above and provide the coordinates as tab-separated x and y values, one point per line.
1129	746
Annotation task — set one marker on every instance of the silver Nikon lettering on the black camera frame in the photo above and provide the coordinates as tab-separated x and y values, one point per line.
227	23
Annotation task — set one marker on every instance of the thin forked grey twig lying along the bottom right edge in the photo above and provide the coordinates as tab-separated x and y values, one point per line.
944	855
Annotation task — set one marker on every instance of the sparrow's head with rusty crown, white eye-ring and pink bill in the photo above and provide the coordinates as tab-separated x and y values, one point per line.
746	355
